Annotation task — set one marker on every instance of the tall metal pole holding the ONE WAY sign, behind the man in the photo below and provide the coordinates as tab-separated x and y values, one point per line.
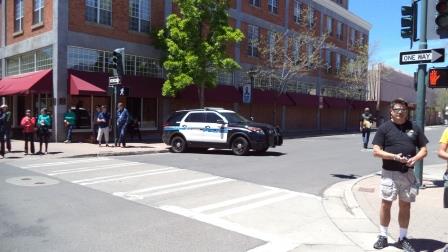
421	88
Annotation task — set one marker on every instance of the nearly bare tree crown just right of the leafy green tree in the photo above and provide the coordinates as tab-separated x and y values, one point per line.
288	55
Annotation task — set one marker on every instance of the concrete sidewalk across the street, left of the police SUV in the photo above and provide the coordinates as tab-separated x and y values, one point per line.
67	150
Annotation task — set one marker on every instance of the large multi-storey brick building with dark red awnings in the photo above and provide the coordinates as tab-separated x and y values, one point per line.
57	54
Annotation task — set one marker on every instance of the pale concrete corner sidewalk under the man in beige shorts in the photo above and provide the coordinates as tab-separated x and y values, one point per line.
353	207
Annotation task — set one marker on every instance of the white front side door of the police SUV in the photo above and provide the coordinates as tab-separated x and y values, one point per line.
215	132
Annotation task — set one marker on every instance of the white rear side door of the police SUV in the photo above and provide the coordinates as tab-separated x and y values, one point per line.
192	126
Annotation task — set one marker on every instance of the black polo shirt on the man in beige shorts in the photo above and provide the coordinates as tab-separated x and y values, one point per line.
399	138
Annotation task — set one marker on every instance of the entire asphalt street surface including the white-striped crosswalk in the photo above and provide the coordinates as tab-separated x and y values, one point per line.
210	201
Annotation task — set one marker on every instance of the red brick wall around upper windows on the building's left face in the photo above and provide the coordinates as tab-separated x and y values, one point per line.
28	29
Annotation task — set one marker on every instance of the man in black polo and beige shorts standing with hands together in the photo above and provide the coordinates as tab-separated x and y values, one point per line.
396	142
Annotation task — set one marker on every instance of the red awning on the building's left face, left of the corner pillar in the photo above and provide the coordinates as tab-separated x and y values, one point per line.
35	82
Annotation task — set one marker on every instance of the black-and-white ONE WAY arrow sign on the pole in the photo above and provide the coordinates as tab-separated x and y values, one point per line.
423	56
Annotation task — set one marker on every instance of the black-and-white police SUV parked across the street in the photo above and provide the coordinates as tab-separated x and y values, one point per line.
218	128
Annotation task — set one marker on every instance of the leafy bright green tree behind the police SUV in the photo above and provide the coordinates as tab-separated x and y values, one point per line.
195	42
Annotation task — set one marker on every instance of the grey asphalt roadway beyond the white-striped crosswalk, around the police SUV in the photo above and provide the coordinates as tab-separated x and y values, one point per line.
304	165
